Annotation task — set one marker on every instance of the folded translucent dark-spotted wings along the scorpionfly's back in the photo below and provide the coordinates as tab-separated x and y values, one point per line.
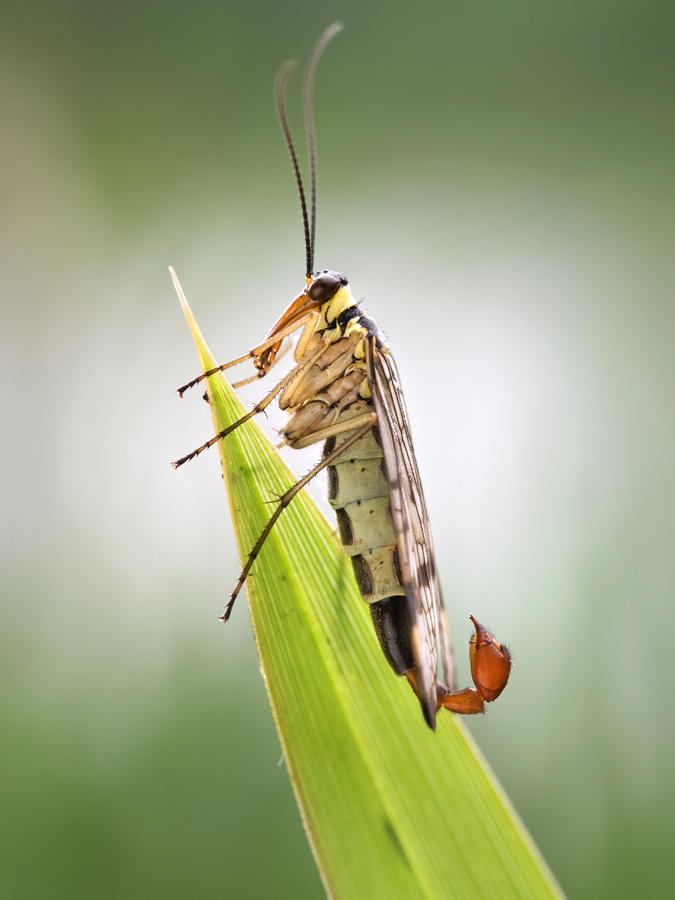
411	524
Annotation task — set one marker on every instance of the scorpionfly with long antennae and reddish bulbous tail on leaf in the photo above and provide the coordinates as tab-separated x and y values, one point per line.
344	390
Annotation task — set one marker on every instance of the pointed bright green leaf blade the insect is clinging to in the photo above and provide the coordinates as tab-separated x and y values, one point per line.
392	811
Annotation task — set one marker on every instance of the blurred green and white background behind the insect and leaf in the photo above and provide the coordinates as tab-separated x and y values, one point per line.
496	180
